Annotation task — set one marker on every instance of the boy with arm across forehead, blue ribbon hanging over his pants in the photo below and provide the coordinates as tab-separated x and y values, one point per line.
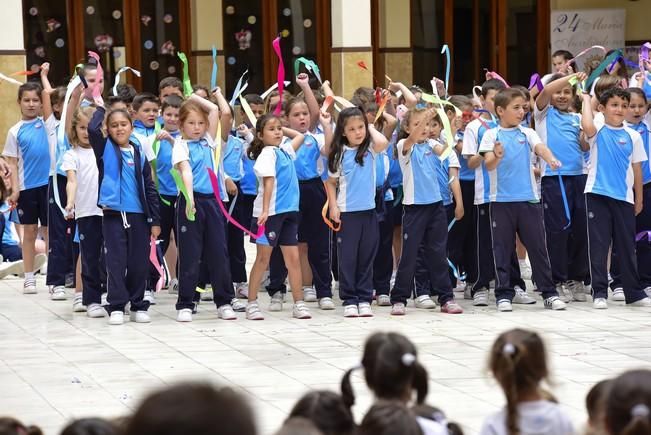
561	131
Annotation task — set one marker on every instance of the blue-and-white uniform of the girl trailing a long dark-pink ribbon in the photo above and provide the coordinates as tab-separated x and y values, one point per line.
202	242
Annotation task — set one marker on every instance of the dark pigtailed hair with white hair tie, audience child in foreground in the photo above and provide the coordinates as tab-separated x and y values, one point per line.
391	369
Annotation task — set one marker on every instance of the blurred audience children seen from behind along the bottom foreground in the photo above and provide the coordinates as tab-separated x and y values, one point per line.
399	384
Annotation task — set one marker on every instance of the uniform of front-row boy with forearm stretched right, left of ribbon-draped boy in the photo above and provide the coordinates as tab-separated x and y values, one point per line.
515	209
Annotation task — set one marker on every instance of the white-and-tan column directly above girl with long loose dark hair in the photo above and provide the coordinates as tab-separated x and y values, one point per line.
351	43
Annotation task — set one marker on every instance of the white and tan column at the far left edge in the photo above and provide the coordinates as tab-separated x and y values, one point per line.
12	58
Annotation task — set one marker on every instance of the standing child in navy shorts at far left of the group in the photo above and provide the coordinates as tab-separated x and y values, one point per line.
28	154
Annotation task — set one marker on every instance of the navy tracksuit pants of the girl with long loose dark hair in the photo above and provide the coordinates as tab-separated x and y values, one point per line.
357	243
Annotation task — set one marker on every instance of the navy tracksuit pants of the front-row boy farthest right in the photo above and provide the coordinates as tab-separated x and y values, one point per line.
612	221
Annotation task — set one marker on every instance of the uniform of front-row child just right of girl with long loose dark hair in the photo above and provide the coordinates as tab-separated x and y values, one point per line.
424	221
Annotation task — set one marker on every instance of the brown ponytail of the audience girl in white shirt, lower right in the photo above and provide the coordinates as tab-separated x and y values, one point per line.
519	363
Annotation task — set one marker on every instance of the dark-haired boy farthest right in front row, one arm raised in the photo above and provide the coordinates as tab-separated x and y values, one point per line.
614	194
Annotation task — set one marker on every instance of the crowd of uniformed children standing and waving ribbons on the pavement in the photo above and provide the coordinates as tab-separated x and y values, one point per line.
395	194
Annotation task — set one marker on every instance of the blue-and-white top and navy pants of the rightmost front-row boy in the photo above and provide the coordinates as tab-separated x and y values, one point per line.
610	207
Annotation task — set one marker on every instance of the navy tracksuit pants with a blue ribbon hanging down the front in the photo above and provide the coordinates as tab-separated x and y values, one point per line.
566	246
